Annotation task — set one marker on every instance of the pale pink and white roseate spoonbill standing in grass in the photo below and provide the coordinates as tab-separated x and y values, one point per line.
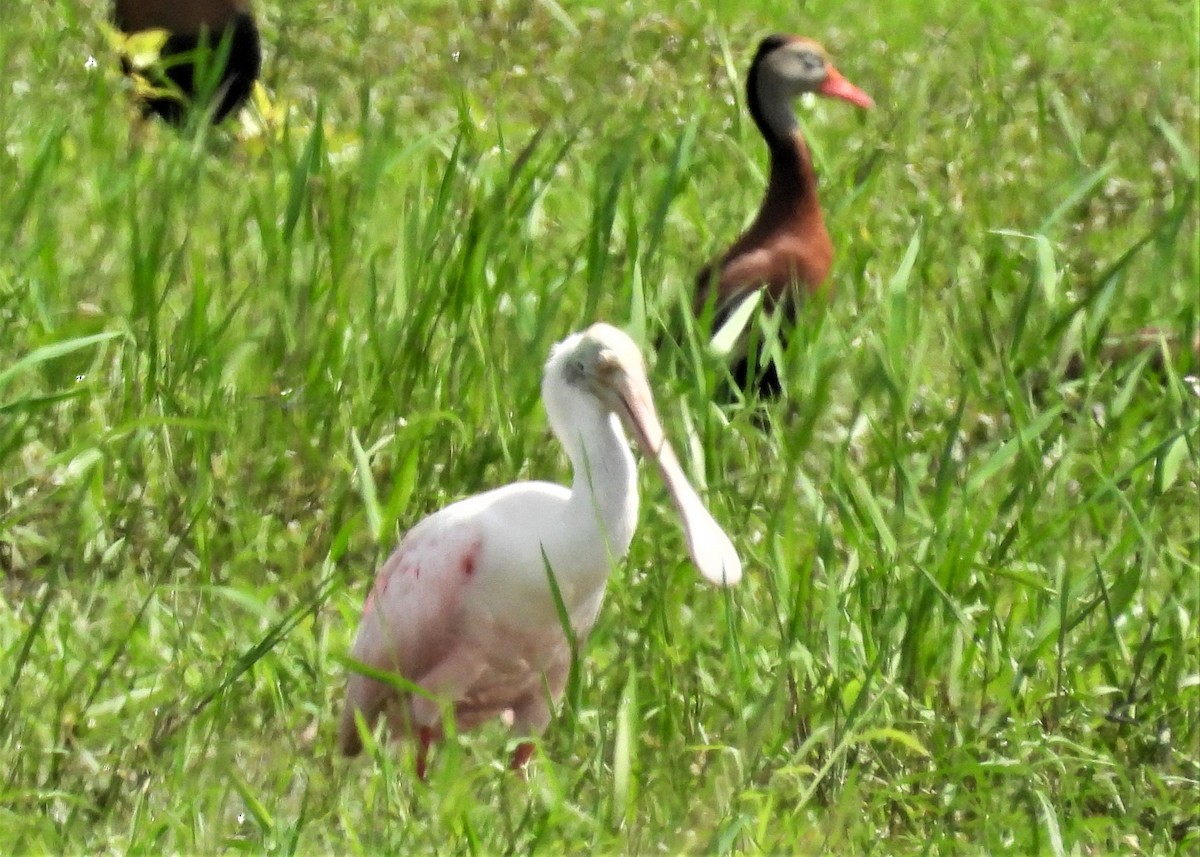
465	608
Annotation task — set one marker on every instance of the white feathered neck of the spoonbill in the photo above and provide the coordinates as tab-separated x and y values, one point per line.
604	490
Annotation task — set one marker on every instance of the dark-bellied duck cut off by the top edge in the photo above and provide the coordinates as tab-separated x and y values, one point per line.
194	25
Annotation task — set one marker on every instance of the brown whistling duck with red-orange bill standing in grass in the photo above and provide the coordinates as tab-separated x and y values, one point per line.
787	251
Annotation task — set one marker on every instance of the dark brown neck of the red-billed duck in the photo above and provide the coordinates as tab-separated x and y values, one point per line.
793	183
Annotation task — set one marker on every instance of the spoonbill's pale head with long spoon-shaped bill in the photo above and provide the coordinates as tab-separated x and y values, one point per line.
605	365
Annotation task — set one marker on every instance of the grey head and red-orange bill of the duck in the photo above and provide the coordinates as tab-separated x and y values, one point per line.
788	67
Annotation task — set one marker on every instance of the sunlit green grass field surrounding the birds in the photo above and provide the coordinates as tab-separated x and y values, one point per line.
236	365
